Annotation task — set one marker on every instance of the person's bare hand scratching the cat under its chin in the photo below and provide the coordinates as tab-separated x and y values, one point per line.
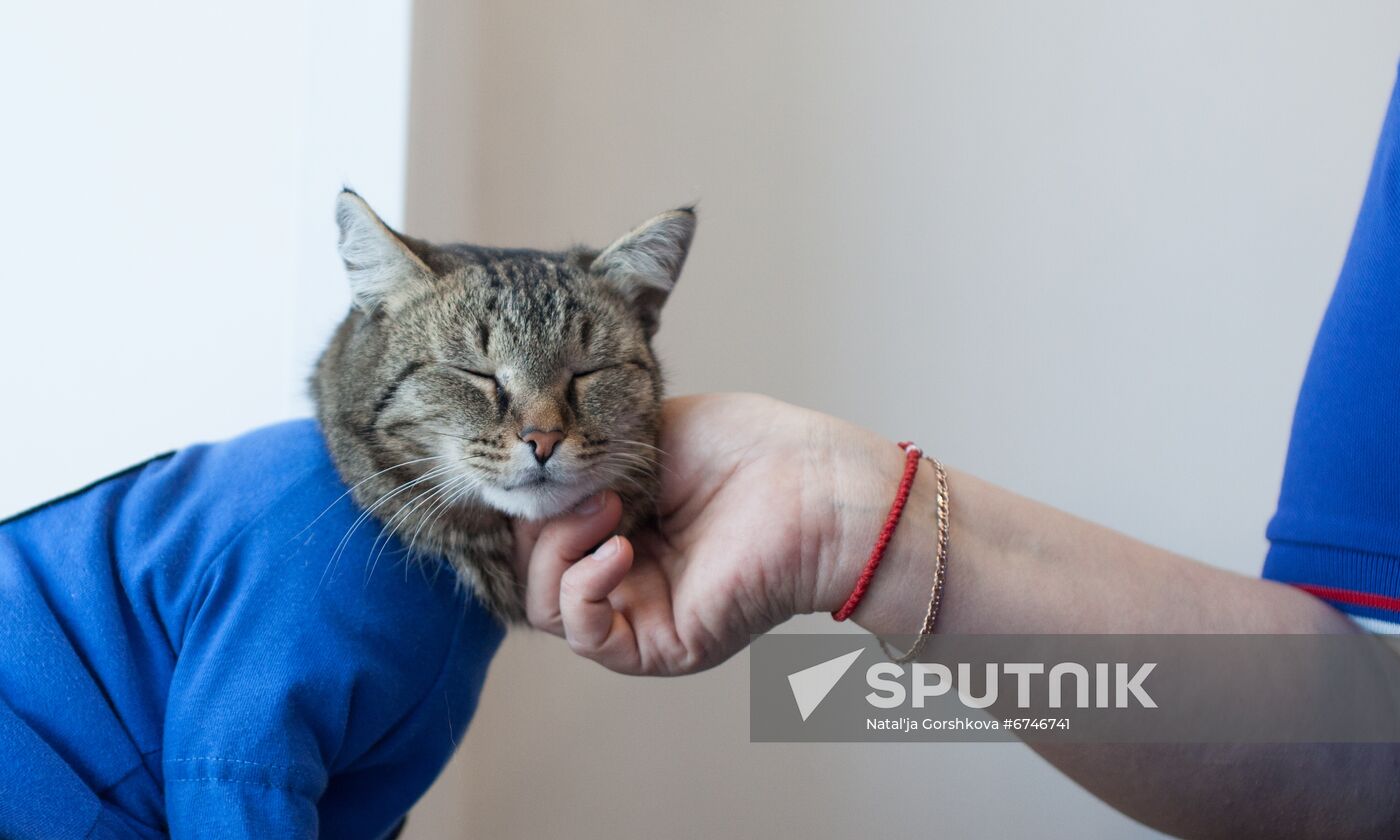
754	528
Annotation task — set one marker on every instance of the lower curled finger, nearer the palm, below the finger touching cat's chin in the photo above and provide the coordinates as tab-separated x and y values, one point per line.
593	628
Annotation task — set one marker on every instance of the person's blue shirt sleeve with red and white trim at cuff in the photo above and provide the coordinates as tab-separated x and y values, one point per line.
1338	528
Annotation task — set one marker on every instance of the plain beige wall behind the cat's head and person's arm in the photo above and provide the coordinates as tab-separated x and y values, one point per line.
1079	248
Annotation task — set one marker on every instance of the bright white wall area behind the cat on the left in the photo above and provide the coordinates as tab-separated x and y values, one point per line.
169	178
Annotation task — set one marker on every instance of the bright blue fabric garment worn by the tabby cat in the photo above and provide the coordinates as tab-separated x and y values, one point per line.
184	650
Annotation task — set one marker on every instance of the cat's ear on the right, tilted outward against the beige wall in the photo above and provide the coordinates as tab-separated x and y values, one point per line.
646	264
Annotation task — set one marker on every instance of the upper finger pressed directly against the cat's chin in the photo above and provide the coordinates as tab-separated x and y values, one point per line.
559	544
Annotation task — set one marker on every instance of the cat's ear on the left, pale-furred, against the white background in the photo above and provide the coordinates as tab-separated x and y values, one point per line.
381	267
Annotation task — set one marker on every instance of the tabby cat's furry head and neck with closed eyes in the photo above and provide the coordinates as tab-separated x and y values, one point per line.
472	386
